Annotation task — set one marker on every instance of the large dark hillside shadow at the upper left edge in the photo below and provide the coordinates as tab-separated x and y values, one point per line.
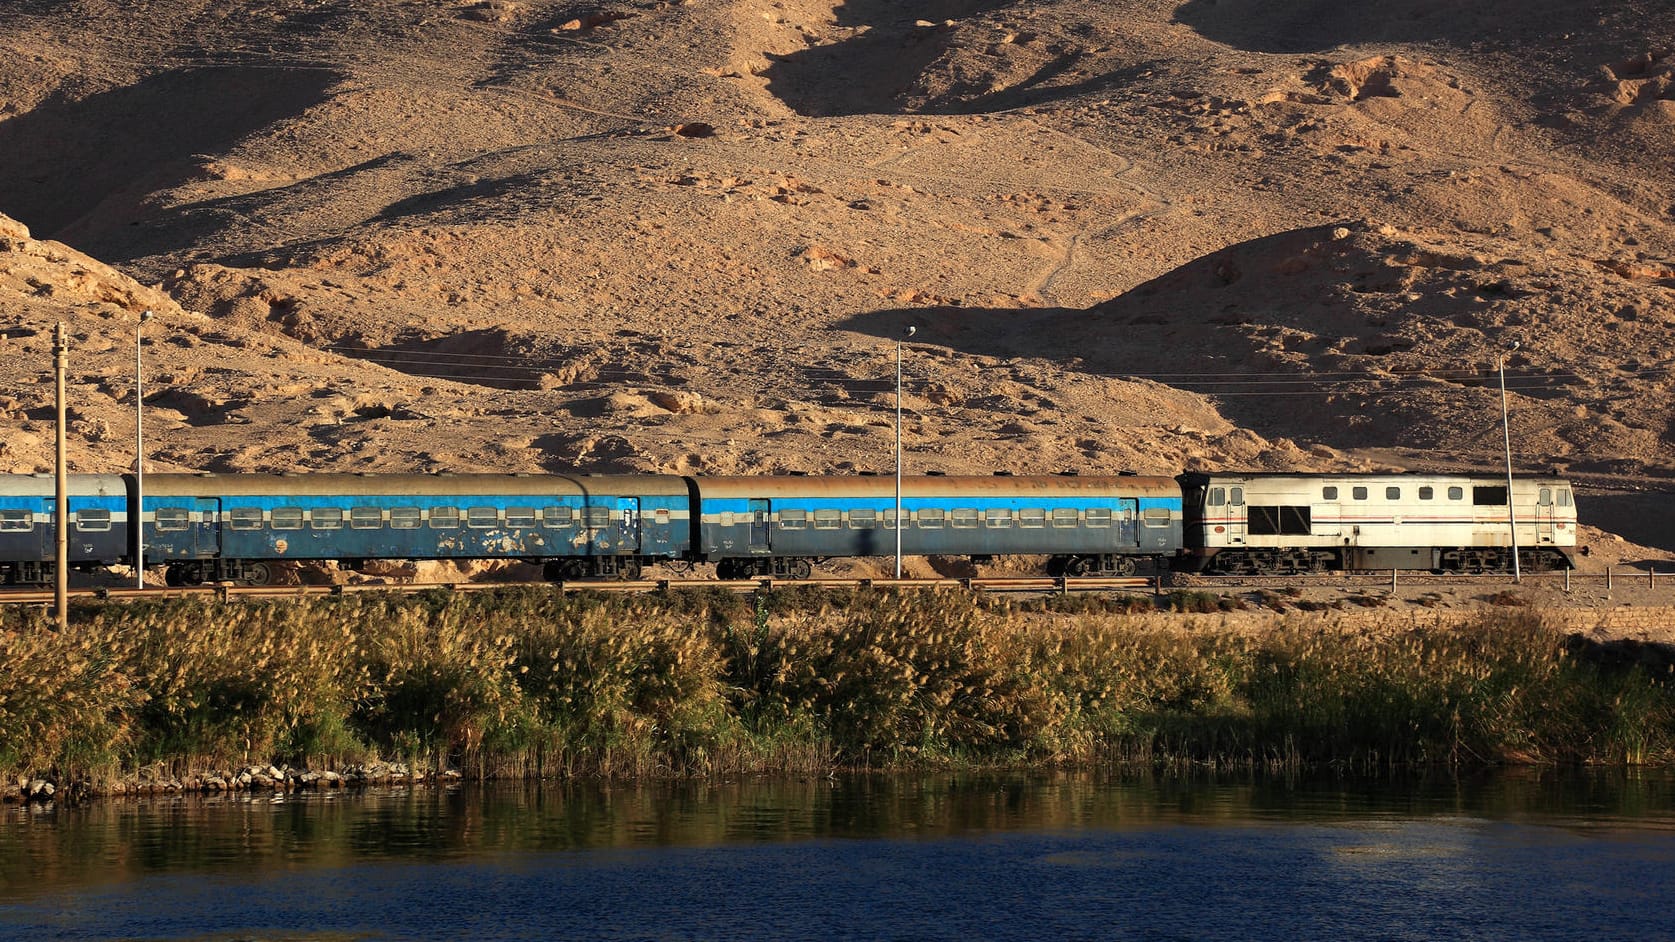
81	170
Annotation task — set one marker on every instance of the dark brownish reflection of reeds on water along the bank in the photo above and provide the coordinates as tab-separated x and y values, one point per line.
121	841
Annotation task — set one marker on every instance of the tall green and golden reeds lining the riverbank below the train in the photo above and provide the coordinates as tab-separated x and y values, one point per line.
528	683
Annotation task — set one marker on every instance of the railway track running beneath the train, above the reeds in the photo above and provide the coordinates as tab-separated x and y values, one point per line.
1041	586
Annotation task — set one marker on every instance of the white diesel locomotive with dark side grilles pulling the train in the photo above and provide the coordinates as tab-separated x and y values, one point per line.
1286	524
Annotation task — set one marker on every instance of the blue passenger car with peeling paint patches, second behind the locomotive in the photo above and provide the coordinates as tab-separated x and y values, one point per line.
234	527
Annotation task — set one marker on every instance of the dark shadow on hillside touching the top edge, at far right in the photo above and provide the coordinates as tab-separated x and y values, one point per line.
1317	26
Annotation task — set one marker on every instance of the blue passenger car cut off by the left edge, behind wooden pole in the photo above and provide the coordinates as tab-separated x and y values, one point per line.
28	529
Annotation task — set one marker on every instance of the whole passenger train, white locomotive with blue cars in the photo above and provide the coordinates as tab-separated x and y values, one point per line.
239	527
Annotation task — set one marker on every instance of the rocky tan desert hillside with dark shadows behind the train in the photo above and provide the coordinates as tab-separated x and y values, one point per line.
388	235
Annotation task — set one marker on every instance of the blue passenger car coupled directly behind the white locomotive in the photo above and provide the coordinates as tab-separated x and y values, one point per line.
1085	525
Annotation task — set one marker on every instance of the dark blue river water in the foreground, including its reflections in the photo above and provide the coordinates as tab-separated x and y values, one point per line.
1530	856
